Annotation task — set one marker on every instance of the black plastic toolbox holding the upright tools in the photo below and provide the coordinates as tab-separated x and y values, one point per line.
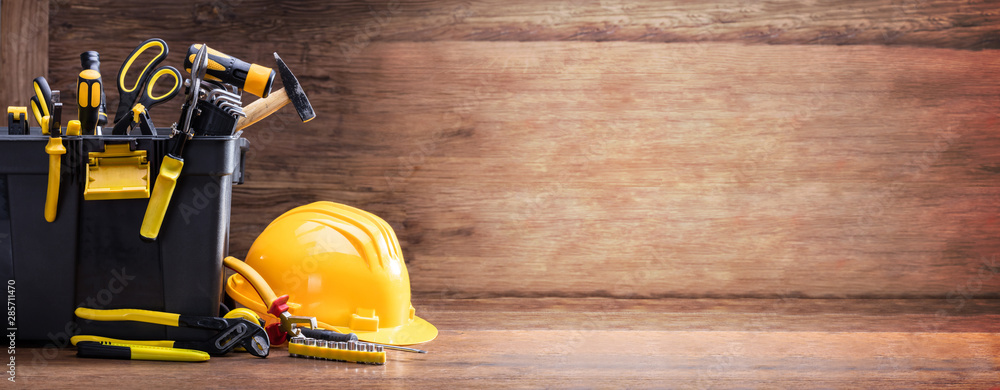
92	254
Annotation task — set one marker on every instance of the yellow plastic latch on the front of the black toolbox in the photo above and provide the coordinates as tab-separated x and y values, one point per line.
117	173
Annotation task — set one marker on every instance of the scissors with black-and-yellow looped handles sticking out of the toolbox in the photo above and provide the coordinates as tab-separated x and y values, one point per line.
135	101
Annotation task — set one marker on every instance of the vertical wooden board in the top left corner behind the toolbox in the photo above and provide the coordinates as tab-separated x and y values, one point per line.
24	42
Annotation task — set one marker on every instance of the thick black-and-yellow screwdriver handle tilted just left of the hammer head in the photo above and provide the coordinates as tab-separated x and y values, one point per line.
253	78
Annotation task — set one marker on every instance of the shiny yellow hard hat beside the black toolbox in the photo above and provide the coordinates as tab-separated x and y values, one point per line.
341	265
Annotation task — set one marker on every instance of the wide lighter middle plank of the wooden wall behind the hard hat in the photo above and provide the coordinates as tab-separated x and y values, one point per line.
615	169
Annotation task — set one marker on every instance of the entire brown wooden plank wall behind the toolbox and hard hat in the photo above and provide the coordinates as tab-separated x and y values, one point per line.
620	148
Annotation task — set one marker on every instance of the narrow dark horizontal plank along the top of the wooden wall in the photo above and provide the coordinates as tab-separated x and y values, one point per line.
326	25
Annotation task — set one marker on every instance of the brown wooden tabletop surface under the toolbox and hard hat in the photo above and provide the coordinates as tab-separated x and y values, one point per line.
612	343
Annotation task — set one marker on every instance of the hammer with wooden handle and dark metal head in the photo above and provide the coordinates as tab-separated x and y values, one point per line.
292	92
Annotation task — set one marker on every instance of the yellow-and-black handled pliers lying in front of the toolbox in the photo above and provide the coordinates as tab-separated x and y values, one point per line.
235	331
